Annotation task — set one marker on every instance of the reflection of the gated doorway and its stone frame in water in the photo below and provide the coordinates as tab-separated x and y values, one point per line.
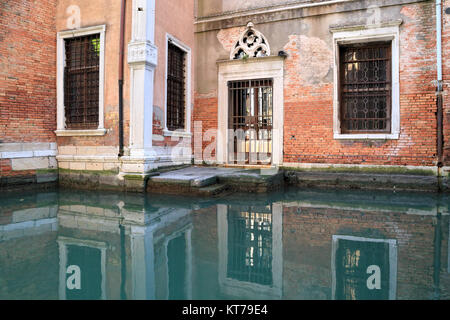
250	251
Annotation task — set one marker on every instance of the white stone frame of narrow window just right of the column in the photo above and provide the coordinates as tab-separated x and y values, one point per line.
188	86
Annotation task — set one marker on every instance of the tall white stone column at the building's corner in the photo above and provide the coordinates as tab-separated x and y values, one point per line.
142	59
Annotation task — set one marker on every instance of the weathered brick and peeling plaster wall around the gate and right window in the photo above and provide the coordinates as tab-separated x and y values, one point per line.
308	94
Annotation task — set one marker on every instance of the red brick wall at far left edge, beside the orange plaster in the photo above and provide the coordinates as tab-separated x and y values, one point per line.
27	79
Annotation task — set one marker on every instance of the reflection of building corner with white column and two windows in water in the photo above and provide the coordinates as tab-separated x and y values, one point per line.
123	250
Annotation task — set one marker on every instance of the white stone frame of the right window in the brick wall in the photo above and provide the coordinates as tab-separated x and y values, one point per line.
364	34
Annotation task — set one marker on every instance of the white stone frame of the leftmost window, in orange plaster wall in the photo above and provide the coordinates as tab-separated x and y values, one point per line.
61	63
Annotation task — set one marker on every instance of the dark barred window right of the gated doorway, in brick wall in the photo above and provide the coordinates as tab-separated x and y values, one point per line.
365	87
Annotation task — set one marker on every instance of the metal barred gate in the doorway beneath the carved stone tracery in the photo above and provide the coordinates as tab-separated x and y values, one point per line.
250	121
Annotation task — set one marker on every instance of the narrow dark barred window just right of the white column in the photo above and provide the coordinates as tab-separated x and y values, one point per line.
176	83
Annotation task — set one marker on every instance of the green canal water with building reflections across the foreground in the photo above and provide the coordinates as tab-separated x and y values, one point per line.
295	244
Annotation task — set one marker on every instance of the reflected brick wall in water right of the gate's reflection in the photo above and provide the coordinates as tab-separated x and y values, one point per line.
307	239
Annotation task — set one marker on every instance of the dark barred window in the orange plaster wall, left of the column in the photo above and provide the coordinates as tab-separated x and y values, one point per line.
81	82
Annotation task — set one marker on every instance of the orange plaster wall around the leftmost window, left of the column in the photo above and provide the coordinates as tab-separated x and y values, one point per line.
93	13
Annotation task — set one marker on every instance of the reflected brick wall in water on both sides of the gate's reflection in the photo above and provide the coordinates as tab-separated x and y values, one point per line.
307	249
